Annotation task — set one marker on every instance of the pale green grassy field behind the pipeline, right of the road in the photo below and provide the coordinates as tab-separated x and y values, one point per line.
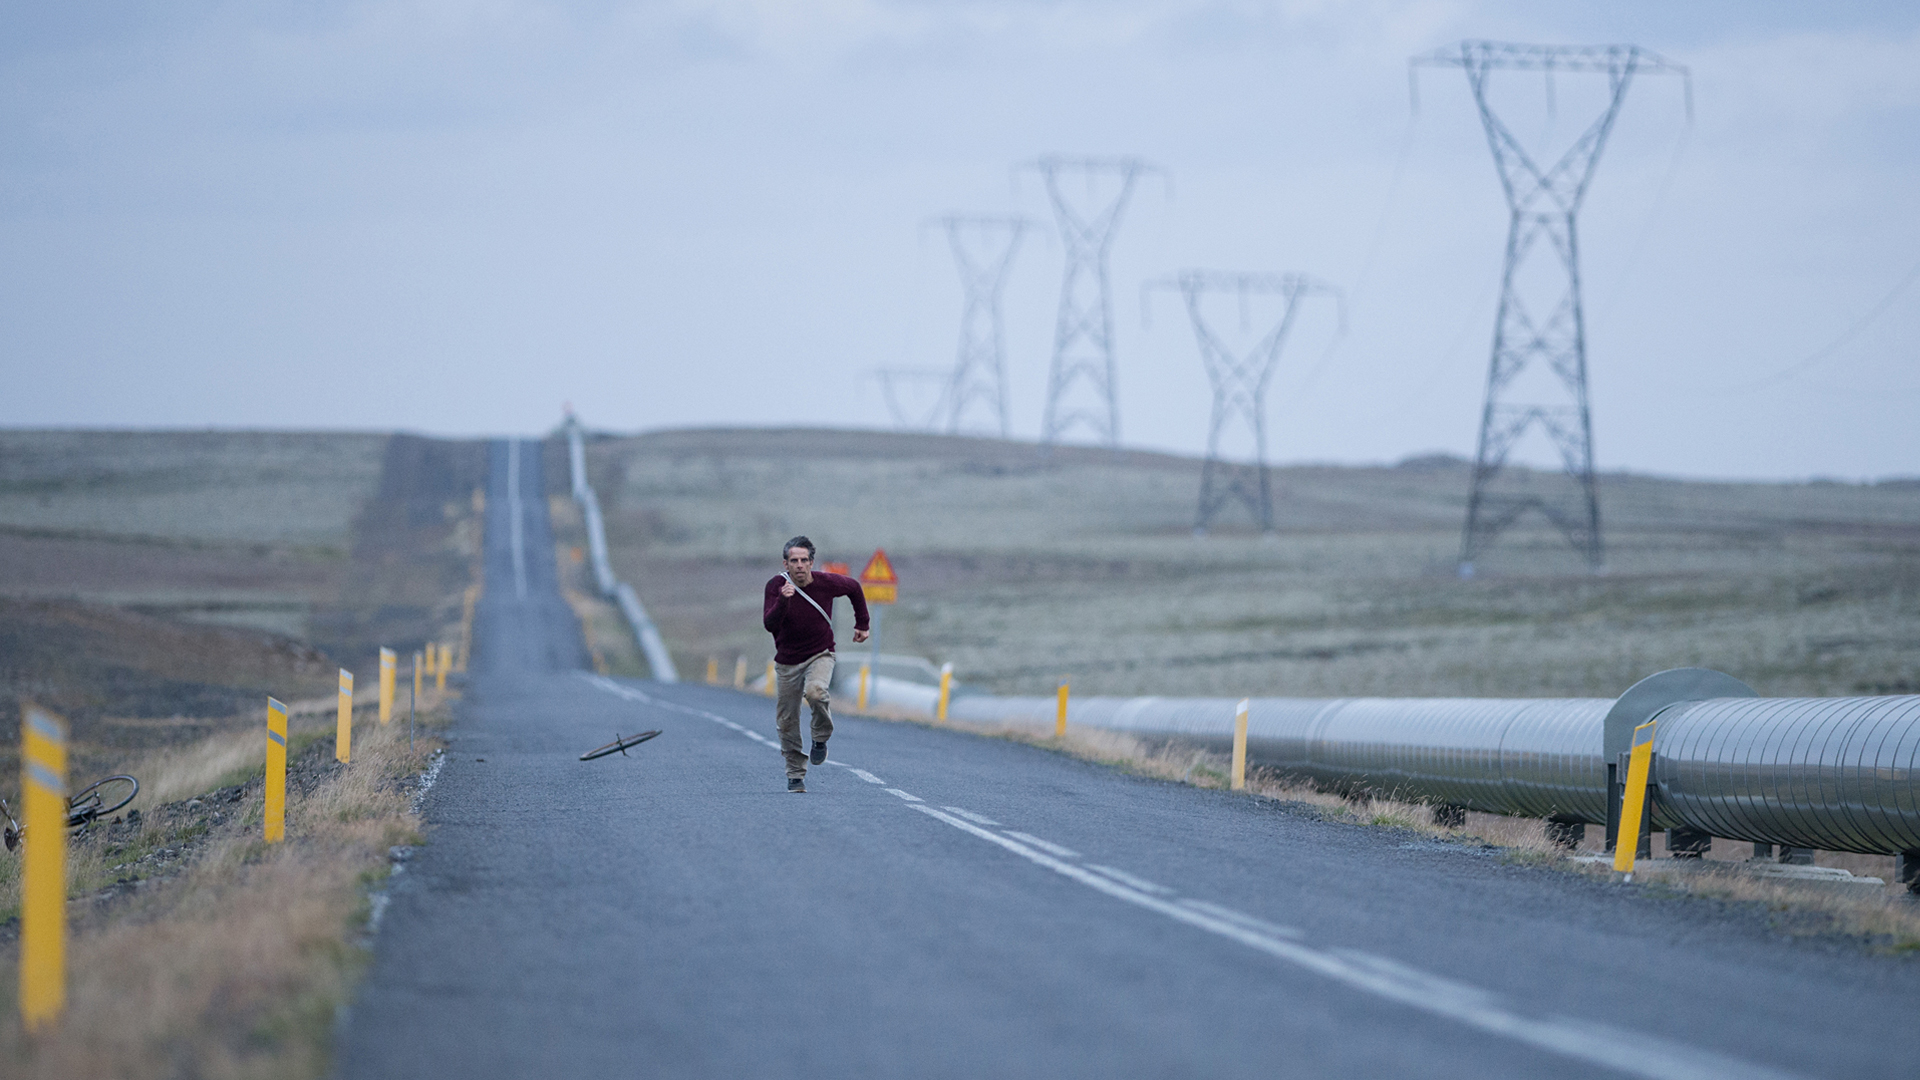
1028	570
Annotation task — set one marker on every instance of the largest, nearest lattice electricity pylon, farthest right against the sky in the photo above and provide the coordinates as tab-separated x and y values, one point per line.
1545	205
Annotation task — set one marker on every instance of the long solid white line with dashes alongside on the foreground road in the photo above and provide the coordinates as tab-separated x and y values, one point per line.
1635	1054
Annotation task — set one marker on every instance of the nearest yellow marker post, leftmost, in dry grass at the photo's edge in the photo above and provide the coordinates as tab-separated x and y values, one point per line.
43	914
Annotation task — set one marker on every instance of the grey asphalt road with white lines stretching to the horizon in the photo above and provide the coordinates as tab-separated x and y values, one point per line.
955	906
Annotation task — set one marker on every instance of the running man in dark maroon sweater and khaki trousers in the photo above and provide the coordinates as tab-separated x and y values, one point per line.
800	614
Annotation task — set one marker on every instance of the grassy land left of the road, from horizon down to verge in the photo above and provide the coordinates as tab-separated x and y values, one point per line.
156	589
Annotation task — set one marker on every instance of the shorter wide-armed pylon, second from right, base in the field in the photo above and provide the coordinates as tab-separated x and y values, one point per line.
1241	385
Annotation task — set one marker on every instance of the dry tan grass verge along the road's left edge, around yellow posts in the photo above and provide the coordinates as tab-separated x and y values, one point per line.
235	960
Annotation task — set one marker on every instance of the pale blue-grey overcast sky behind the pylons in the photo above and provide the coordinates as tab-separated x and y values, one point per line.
454	218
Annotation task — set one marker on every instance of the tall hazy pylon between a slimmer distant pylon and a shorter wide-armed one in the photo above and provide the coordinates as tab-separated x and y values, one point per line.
1080	385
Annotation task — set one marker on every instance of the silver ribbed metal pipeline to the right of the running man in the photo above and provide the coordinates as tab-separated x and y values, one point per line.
1833	773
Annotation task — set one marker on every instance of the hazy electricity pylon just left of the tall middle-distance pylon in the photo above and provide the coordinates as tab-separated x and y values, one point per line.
984	249
